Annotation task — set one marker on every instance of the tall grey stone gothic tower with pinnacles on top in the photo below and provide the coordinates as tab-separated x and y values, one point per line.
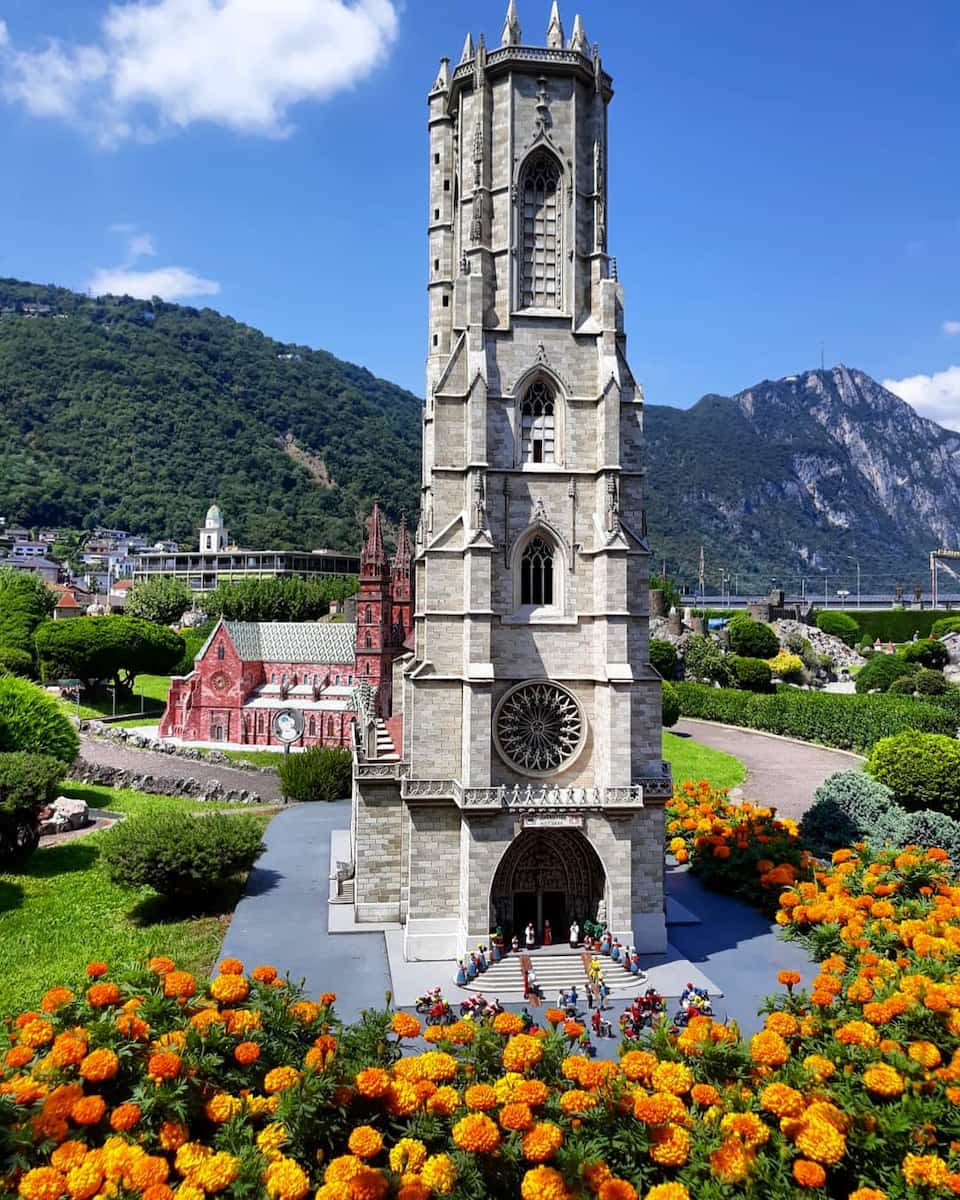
530	784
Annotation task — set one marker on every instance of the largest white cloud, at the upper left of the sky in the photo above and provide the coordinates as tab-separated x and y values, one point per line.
167	64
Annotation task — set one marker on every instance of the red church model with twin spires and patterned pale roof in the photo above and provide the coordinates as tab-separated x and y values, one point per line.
249	671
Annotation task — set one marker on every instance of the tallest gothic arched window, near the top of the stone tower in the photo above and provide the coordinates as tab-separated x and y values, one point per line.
541	254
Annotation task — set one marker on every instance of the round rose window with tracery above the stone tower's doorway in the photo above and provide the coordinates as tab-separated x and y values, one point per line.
539	728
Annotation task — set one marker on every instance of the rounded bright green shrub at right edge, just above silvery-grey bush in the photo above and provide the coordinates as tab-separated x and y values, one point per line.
921	770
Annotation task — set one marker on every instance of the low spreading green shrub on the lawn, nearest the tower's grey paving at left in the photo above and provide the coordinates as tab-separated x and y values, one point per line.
182	857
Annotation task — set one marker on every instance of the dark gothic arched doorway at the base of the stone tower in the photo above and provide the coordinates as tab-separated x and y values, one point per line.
551	875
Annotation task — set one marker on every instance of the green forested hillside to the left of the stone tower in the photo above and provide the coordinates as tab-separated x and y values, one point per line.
137	416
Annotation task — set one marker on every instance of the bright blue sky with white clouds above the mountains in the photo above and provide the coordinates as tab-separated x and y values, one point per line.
783	176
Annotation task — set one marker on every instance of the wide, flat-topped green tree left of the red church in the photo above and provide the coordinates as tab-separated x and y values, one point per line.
117	649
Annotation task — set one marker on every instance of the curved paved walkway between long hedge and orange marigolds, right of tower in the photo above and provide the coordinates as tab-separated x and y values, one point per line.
779	772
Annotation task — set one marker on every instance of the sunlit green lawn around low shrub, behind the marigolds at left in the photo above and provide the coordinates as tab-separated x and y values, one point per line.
63	911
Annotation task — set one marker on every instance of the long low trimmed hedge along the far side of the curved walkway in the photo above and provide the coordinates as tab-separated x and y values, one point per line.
849	723
